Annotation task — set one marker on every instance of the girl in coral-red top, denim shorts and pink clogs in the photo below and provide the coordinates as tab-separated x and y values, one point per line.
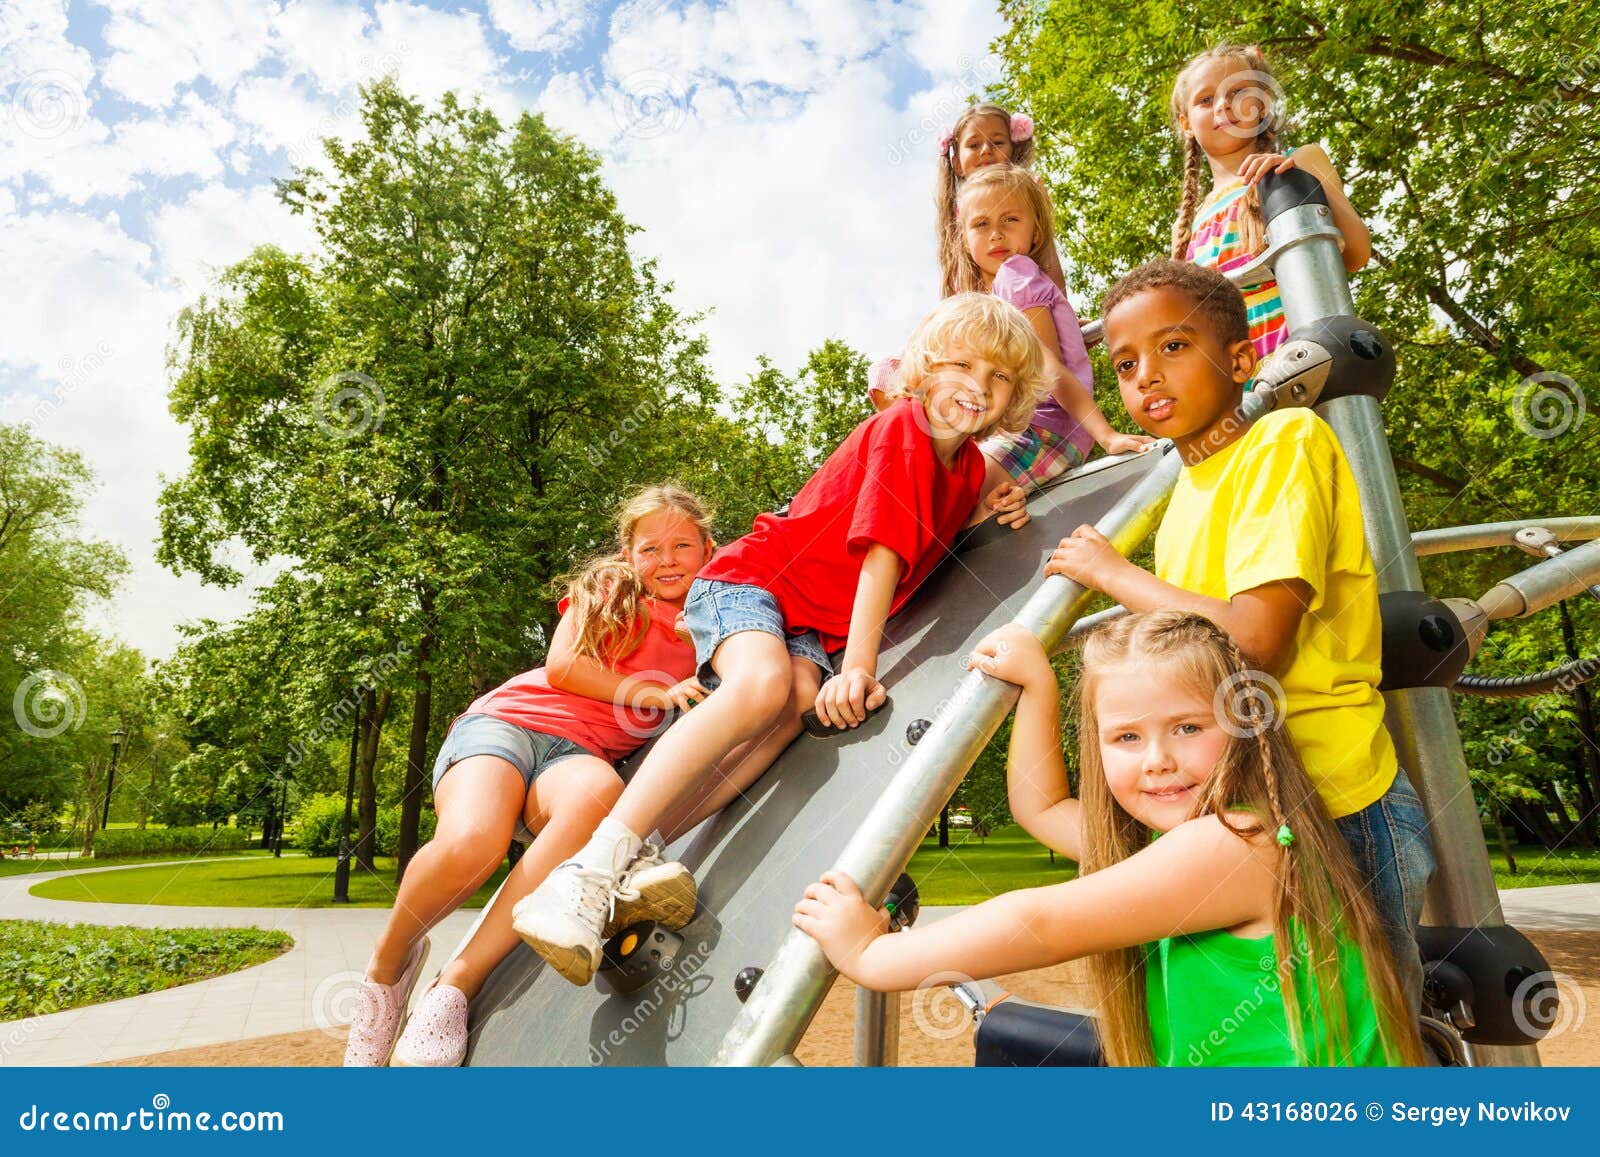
540	750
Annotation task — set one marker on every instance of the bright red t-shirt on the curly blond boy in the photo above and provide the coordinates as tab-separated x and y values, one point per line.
884	486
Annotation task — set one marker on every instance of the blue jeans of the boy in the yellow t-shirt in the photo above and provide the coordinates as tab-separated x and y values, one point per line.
1390	843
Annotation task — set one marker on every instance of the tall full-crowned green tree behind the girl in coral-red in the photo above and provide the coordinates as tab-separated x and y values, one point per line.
434	415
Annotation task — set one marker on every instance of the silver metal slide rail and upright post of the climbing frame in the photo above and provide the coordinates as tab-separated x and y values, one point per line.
1303	254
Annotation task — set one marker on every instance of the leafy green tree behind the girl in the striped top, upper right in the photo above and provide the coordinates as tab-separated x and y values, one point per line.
1470	142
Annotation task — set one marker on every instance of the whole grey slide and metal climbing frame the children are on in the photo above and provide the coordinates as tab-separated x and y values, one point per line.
742	985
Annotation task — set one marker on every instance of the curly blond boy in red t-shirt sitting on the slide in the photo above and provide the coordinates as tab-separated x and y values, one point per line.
858	540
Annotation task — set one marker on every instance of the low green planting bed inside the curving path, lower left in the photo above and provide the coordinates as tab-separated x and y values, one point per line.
50	967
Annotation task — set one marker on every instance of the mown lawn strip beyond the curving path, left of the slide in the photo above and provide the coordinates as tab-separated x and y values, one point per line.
295	881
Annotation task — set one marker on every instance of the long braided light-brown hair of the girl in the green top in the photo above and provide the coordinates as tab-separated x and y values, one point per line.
1321	892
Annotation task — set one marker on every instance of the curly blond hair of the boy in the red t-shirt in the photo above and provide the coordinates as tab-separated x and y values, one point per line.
990	327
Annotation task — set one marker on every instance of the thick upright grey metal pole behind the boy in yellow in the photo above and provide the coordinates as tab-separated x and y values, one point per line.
1314	286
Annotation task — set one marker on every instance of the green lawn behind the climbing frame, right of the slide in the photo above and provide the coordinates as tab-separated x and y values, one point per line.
972	870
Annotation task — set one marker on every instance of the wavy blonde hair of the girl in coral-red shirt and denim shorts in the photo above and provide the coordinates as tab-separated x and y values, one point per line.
609	601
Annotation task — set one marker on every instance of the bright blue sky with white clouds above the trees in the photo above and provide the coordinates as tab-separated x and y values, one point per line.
778	156
